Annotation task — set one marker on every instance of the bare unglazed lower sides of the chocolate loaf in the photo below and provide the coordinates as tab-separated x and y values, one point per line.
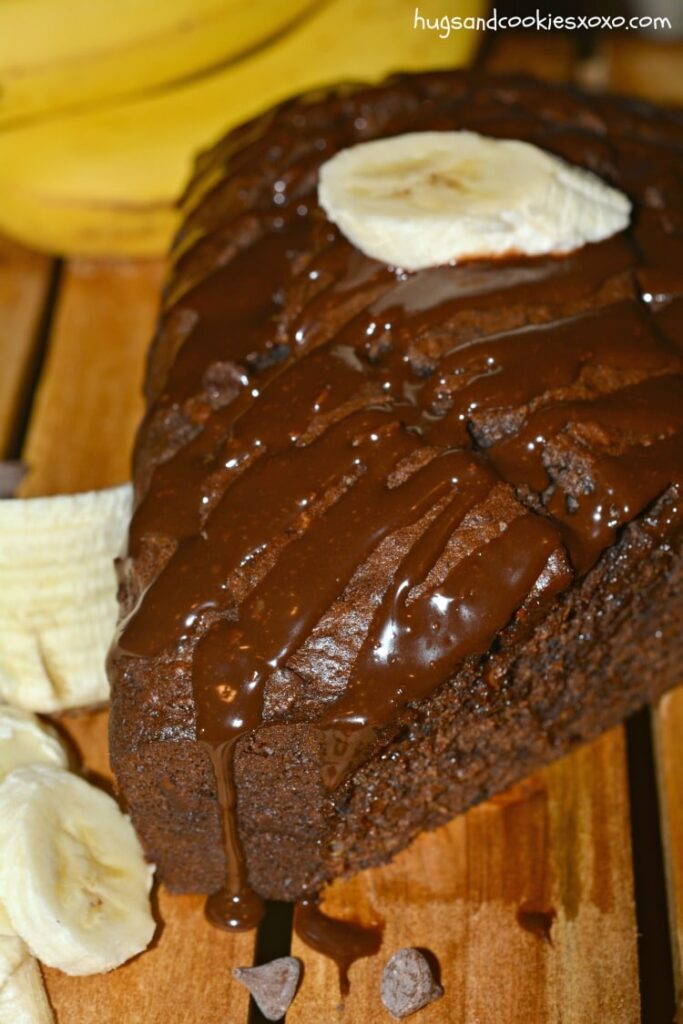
606	648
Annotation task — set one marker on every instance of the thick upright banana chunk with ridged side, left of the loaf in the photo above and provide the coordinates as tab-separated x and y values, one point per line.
58	600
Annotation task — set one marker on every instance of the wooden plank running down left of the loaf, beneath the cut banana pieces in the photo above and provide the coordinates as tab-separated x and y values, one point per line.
80	437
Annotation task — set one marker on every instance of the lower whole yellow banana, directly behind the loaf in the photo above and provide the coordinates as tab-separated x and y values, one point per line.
105	182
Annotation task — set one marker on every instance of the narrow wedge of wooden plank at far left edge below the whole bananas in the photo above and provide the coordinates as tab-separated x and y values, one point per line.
24	286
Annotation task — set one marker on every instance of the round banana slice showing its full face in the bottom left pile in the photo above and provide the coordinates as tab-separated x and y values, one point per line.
73	878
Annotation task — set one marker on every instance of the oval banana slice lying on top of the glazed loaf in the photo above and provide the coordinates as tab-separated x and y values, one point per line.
425	199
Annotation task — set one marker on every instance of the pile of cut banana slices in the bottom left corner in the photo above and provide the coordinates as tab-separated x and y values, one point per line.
74	883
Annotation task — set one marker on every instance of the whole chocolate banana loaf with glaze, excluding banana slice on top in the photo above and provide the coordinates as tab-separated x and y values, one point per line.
400	538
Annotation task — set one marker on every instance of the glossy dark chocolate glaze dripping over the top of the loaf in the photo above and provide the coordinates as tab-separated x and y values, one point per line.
327	403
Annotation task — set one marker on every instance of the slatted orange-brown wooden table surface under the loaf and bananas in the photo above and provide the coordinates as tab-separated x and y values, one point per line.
599	837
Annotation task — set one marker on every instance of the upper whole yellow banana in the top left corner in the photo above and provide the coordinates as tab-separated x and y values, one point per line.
78	54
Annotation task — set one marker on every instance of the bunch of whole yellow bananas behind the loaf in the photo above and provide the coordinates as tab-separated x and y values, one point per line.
104	106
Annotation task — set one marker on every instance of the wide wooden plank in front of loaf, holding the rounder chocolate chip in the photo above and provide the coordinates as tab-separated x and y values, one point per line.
553	843
